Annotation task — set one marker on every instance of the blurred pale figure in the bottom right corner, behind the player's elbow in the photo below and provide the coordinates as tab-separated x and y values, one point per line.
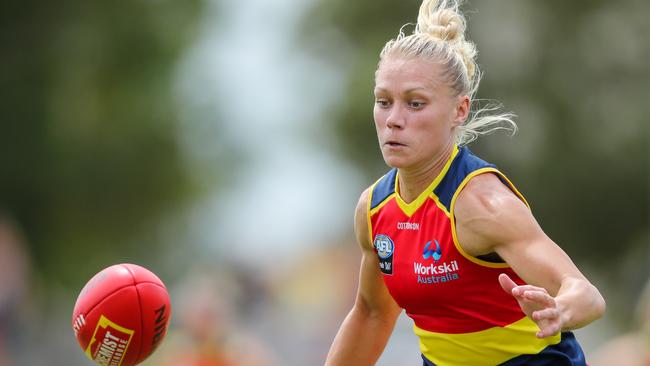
633	348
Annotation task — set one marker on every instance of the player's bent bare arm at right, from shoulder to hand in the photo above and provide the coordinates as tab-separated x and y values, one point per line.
491	218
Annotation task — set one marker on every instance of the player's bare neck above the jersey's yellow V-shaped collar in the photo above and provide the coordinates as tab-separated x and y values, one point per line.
413	181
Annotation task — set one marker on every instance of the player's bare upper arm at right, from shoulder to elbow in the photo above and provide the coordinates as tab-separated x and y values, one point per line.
494	219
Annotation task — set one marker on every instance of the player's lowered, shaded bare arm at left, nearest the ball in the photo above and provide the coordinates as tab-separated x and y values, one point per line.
366	329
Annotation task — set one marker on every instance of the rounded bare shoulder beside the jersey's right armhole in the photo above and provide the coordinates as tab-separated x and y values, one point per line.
488	214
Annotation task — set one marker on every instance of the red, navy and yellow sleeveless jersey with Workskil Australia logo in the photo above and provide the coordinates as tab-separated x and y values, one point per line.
461	314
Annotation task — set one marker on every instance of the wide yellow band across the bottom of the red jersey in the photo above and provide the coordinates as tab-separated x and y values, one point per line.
487	347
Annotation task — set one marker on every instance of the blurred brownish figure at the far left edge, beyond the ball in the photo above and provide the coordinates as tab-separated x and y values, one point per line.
14	269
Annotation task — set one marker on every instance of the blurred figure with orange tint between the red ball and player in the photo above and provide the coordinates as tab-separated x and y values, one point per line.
206	330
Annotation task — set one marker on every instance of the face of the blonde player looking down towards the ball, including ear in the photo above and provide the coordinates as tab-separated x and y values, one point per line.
415	112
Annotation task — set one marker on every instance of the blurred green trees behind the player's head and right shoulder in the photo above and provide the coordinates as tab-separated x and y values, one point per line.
578	71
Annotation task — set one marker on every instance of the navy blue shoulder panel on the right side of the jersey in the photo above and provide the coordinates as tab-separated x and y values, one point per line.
463	165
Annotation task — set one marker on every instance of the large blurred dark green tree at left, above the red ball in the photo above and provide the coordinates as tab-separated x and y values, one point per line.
88	144
